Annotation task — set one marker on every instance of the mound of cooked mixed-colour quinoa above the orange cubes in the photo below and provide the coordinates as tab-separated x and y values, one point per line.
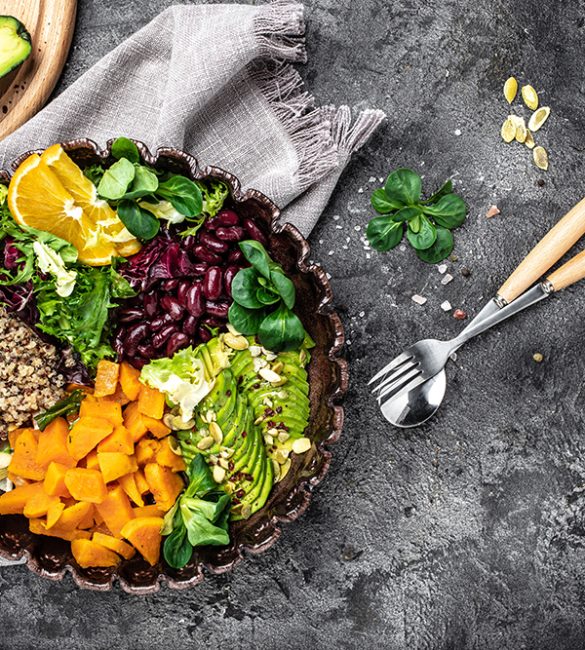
29	380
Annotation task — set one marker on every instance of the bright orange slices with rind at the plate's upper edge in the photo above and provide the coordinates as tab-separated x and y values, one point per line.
51	193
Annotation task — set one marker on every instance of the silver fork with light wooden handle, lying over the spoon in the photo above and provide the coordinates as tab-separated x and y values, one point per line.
425	359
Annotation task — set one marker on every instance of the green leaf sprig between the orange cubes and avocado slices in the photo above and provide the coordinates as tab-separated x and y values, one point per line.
199	517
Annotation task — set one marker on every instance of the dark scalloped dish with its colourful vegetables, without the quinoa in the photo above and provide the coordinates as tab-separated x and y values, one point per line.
200	367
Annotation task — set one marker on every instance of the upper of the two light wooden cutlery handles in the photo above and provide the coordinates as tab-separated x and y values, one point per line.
557	241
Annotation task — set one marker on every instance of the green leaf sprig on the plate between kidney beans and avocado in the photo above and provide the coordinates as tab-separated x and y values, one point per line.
264	297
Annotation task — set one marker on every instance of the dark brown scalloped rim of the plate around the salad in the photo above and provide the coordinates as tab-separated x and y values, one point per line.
328	376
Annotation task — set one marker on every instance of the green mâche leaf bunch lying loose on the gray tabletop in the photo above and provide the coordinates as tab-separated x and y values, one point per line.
427	223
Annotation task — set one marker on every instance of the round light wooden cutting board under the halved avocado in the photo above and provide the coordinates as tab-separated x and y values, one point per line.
25	91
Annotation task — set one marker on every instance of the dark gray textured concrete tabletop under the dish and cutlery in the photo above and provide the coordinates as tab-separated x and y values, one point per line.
468	532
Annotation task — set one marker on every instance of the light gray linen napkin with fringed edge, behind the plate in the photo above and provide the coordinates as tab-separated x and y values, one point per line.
217	82
